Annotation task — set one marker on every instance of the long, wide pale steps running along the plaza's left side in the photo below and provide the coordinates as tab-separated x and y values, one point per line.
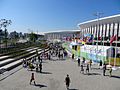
10	60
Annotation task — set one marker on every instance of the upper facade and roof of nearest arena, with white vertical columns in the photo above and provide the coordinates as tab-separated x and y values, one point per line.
104	28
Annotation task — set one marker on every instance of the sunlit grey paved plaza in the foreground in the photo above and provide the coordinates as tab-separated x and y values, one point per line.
54	73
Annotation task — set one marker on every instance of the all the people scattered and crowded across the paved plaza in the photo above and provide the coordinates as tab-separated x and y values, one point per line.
61	53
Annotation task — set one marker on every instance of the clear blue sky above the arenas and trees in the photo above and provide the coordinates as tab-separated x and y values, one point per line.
53	15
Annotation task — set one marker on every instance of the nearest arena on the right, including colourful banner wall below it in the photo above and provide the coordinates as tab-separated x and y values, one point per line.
105	44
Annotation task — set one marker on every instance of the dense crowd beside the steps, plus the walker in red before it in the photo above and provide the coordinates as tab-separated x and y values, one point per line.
35	63
